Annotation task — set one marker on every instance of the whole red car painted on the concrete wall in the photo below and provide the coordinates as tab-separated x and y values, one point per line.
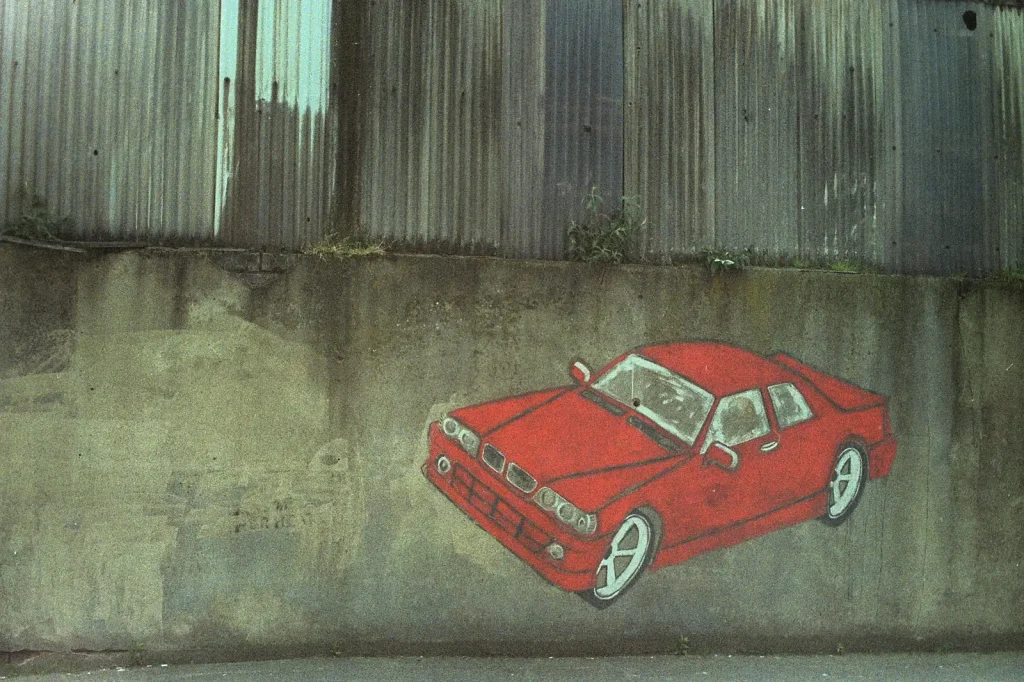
669	452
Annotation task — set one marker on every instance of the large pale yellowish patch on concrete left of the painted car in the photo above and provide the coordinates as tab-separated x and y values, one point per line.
211	430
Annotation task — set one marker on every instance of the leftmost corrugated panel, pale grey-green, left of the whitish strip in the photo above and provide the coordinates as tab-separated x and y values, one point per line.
109	114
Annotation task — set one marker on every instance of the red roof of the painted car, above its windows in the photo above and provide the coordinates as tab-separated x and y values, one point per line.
718	368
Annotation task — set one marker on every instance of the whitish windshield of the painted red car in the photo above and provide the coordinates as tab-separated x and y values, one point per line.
671	402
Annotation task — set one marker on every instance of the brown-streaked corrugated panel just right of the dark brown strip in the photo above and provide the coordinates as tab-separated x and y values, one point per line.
433	136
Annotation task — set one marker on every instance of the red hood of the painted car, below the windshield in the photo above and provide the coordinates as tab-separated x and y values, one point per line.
572	438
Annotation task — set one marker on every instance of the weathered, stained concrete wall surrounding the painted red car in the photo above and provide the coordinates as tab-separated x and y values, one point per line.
195	461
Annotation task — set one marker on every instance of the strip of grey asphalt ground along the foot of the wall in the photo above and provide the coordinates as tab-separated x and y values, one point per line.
931	668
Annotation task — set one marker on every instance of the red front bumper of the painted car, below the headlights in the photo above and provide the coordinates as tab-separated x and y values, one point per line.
515	521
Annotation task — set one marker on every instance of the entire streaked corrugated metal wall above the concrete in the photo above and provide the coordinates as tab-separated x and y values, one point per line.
862	131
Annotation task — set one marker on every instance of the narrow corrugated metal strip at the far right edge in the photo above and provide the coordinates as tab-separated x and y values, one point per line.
1008	141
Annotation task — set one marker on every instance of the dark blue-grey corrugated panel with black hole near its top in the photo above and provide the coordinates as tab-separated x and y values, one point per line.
948	137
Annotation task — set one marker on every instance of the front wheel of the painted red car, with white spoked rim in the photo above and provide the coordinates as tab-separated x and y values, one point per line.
635	545
